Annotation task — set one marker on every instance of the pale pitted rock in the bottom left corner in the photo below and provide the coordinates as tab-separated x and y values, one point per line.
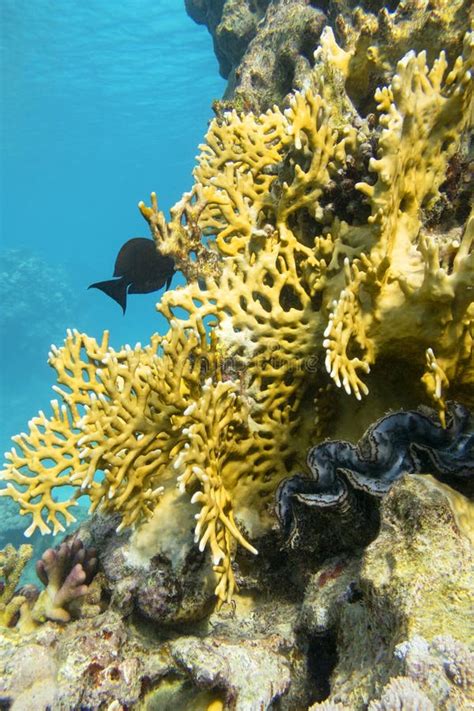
86	664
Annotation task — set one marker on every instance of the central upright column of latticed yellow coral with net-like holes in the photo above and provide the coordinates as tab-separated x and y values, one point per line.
261	304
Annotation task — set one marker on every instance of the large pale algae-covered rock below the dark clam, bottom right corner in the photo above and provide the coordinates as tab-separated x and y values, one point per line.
410	591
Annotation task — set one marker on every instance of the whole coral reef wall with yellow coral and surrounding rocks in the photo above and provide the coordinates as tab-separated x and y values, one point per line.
327	249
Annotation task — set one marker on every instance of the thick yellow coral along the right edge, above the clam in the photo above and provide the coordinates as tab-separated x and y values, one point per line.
425	113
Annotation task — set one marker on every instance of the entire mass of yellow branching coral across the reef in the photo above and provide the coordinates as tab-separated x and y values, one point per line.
278	283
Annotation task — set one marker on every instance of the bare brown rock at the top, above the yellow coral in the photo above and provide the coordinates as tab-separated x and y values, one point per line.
265	49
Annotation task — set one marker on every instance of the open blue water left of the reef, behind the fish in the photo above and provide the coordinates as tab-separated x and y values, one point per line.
102	102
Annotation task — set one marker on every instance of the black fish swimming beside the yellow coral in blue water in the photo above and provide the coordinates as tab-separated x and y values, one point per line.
139	269
